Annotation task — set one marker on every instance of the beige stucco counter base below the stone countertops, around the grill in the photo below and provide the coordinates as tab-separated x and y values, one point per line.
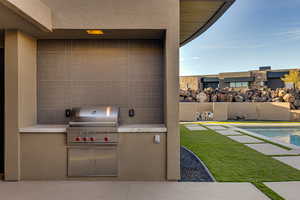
139	158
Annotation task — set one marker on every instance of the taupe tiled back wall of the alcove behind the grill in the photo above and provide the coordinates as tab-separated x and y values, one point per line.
126	73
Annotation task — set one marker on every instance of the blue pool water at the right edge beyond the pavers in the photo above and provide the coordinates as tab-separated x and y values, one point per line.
290	135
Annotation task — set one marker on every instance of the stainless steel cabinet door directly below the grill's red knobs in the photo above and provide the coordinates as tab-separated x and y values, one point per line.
92	161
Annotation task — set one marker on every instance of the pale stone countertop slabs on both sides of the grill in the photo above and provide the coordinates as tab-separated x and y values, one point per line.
129	128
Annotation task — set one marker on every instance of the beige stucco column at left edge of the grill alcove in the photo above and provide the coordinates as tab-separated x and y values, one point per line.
12	138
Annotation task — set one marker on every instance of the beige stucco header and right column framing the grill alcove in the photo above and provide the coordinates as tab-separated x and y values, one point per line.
136	14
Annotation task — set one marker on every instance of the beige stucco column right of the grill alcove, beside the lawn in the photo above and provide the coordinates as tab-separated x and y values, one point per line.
172	98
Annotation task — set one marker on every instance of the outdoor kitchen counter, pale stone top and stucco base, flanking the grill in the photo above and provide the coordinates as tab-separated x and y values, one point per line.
141	152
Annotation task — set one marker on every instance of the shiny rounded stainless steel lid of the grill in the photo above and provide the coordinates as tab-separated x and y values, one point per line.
95	116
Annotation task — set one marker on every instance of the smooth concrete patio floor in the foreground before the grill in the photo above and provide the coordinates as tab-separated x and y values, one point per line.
92	190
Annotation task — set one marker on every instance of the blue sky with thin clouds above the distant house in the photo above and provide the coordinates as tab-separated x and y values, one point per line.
250	34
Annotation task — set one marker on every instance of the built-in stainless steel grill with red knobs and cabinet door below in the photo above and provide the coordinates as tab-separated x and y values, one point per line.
92	140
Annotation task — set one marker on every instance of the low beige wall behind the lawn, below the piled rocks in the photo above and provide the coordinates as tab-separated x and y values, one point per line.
246	110
